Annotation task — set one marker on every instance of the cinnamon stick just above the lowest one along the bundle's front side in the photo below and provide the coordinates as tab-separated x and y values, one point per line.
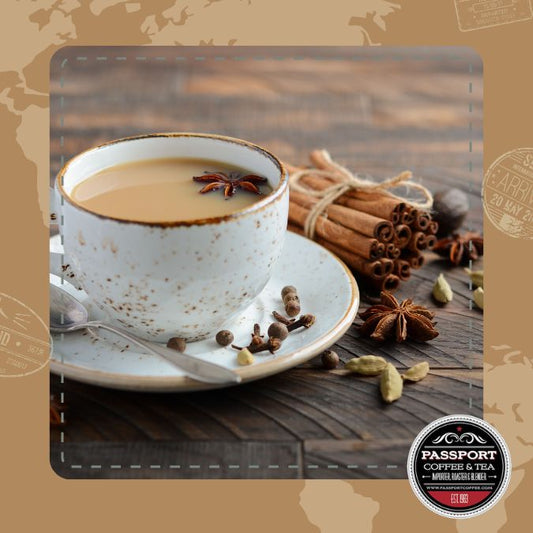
335	233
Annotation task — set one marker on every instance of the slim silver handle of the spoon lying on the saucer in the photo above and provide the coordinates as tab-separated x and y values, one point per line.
196	368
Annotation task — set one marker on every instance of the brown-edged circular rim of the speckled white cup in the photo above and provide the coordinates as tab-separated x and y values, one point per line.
271	197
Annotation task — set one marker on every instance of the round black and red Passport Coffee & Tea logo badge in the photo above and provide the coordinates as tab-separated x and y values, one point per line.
459	466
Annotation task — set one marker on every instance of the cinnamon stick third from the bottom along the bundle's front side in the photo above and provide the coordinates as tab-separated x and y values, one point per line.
359	221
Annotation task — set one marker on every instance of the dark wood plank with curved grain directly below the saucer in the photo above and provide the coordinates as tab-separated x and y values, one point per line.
305	403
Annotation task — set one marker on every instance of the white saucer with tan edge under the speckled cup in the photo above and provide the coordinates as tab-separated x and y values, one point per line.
326	288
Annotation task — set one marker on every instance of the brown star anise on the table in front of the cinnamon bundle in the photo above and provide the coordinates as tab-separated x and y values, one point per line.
400	321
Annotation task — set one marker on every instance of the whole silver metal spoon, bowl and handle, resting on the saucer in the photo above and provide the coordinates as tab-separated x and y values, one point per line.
68	314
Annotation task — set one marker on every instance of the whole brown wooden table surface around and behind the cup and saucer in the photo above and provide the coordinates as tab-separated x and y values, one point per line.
378	111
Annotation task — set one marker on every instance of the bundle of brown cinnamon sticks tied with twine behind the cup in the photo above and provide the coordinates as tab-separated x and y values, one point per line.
380	237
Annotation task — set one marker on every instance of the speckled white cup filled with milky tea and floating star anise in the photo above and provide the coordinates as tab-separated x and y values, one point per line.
154	252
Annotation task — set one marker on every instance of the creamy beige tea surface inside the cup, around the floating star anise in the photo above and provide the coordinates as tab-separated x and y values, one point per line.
162	190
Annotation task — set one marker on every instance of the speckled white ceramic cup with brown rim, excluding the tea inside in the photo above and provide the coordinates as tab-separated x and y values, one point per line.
171	279
